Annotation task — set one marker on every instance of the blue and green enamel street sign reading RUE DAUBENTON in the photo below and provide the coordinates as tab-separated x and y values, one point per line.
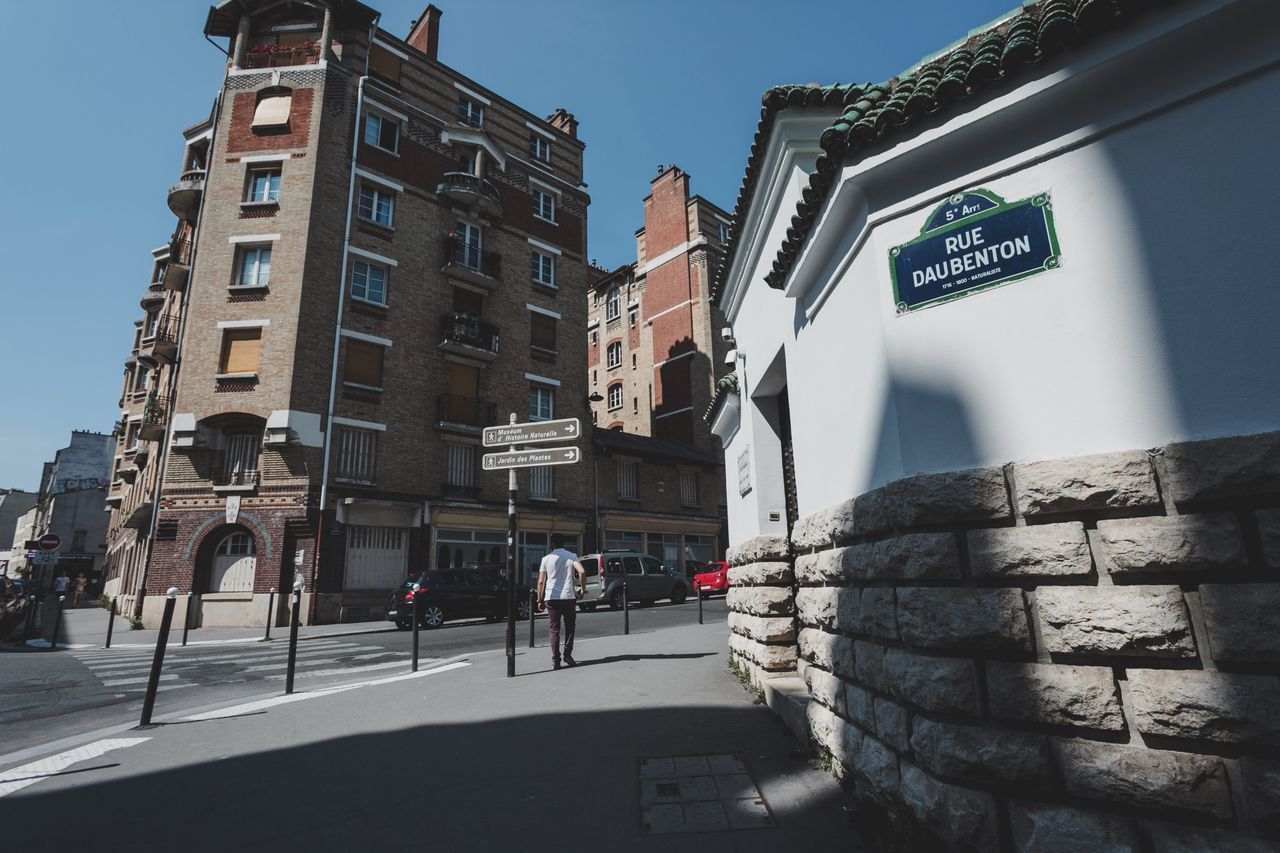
971	243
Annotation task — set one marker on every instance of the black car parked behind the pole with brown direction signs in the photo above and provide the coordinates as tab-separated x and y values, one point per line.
454	594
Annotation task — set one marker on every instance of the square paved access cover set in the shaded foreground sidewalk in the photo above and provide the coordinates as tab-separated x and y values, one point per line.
700	795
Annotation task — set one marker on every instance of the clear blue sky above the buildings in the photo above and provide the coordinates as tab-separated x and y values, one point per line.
98	94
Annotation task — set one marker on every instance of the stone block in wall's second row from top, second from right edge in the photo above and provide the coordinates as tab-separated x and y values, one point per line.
1209	542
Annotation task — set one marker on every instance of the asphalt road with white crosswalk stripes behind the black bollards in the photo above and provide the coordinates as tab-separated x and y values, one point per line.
47	696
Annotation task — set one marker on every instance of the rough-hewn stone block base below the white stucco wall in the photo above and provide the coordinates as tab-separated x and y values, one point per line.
1078	654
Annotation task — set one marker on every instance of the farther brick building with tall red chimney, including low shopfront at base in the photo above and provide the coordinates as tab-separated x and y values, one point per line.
655	355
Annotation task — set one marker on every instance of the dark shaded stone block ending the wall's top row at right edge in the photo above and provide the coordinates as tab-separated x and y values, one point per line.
1222	468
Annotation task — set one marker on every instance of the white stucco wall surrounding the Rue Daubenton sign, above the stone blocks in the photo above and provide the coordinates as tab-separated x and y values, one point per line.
1160	325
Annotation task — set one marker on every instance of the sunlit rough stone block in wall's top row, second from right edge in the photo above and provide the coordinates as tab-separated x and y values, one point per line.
1101	482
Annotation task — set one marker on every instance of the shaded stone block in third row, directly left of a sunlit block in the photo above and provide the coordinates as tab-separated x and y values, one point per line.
986	621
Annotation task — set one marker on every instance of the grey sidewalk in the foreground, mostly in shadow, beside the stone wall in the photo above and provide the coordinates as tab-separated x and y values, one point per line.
648	745
